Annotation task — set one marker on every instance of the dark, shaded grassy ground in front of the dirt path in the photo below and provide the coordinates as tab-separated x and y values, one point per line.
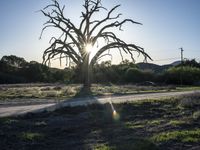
147	125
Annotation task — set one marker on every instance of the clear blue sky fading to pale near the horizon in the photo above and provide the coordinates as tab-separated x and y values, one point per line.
167	26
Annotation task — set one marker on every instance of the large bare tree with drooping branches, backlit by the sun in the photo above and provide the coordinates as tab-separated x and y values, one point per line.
74	41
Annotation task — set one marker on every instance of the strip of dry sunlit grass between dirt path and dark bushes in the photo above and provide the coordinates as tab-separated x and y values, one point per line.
52	92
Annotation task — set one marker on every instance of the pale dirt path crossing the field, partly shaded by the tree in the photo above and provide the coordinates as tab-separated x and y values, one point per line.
14	110
